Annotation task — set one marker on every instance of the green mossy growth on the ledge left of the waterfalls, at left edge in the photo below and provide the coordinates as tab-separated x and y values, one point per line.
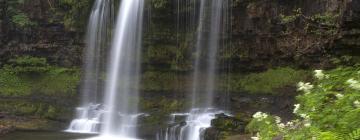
27	75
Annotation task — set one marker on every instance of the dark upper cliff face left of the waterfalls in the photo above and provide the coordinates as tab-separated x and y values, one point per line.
38	28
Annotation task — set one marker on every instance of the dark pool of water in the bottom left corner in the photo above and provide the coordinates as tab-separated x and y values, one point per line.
34	135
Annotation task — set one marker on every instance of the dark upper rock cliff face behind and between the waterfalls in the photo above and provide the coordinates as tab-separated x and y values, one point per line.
260	38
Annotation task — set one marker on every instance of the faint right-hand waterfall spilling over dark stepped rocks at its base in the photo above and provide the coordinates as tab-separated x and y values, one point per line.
202	112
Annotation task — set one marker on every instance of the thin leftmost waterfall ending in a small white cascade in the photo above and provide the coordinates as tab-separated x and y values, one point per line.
89	113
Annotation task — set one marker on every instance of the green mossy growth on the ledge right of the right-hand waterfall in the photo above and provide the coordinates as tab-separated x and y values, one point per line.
267	82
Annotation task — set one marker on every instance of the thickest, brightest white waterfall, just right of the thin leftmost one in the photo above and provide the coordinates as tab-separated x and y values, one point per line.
121	87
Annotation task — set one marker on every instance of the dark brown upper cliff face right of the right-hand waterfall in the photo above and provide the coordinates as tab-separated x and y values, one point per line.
272	33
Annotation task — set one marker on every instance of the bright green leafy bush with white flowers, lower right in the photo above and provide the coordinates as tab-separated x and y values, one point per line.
328	110
